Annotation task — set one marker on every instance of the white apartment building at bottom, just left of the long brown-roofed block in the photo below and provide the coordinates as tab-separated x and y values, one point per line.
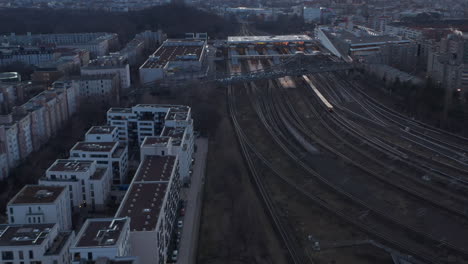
102	238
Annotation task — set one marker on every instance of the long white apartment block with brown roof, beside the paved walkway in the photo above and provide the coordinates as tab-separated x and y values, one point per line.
151	203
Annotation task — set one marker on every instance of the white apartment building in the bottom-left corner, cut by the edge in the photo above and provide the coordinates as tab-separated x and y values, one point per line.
35	244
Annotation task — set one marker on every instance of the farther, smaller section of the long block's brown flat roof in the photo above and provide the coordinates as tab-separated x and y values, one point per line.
155	169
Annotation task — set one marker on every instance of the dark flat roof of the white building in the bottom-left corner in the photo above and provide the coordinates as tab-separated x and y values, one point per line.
24	235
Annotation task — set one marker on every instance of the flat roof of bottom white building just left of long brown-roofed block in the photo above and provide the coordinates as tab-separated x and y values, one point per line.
101	232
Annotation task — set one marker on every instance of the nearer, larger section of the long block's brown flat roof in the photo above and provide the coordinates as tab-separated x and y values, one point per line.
143	205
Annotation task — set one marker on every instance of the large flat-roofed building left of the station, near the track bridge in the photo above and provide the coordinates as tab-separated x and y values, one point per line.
174	56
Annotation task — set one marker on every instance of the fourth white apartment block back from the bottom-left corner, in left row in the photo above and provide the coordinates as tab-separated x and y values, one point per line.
111	155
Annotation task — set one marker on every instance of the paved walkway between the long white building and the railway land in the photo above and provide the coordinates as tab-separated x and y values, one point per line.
194	197
